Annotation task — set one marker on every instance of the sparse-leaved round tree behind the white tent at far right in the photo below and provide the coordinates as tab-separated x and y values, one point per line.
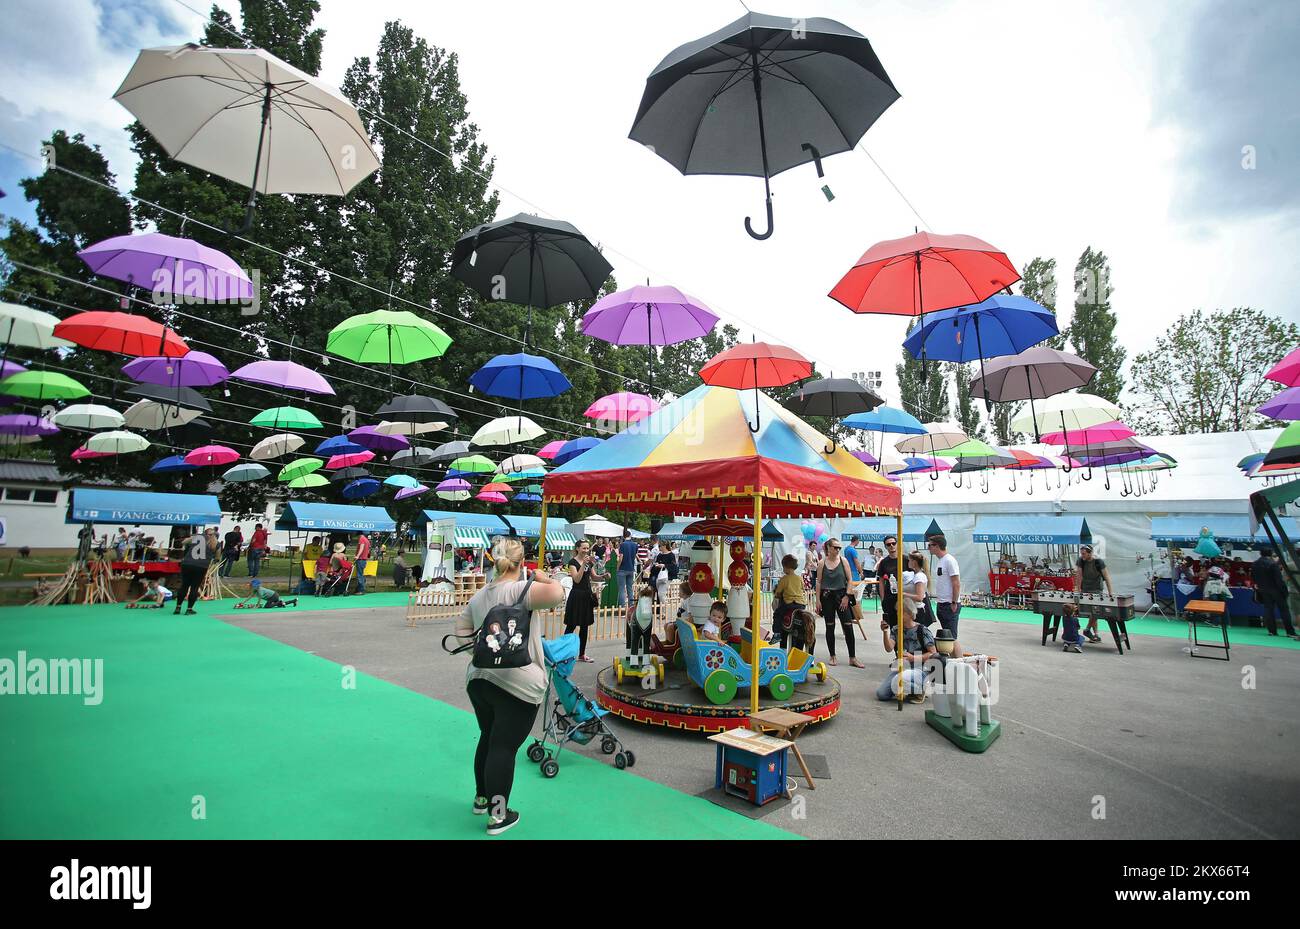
1206	375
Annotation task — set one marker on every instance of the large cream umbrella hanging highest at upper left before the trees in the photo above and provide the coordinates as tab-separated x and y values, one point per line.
244	114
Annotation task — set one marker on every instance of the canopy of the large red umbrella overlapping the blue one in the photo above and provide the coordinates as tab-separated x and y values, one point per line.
922	274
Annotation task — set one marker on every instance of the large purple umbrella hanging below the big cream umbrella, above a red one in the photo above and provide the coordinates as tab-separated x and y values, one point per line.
170	266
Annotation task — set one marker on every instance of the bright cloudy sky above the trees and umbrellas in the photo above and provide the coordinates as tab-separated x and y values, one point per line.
1041	128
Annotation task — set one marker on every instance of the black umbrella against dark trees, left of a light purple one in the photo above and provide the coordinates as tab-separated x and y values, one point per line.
530	262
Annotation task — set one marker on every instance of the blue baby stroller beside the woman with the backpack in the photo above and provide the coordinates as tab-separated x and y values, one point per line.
570	717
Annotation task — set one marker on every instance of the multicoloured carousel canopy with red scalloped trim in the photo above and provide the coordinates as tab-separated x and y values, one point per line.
697	455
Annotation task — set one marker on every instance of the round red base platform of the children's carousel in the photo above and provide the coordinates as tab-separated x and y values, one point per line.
682	705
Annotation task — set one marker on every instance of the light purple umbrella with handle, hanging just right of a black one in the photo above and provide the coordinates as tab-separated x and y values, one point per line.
648	316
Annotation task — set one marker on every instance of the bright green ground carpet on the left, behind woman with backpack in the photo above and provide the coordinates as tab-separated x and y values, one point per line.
276	748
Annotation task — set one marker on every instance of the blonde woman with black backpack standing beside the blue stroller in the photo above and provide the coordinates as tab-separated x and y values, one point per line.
505	698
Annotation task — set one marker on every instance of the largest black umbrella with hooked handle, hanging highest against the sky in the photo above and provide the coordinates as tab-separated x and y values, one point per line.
764	95
